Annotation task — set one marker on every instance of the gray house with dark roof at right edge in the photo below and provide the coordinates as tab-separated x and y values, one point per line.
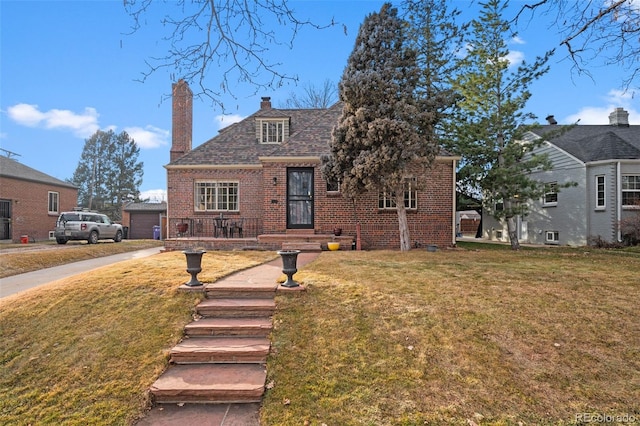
604	162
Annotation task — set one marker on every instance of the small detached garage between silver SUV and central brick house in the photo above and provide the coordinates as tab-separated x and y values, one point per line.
141	218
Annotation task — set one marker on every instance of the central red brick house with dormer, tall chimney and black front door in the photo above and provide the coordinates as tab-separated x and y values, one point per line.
264	174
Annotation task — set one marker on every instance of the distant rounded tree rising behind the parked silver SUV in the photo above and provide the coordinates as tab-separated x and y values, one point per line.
108	172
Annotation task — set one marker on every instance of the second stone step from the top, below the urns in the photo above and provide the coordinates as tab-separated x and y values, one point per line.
235	308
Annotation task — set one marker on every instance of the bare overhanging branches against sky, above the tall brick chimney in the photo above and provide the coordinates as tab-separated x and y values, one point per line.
230	38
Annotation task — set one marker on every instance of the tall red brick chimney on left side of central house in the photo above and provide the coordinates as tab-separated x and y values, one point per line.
181	119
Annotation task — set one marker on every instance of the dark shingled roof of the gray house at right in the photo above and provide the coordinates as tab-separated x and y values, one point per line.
597	142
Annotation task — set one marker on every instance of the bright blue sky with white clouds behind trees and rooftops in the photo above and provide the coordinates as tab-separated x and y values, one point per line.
69	68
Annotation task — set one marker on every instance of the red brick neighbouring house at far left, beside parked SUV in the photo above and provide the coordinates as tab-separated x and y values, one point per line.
30	201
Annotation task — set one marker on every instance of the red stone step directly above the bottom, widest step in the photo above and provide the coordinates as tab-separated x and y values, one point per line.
221	350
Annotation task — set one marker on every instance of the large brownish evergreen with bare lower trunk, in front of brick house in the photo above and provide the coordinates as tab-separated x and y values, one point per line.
383	128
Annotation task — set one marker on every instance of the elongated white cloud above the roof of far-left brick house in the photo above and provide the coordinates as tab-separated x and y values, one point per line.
82	125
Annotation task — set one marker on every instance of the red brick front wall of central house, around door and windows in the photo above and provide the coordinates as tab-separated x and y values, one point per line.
431	223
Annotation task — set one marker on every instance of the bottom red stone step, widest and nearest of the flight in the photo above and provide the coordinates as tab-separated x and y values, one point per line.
210	383
